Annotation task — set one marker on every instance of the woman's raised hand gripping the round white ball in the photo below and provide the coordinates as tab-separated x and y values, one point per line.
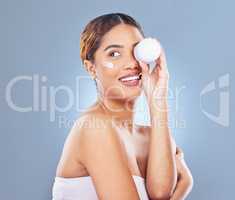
155	83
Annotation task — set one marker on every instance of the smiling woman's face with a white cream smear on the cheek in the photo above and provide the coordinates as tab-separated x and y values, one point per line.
114	59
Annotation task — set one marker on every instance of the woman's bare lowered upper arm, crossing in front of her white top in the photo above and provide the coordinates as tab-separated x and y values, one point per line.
105	161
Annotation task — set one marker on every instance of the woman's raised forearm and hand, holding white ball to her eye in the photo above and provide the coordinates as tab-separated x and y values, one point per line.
161	167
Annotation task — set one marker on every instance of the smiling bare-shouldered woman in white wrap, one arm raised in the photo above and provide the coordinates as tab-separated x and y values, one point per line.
106	156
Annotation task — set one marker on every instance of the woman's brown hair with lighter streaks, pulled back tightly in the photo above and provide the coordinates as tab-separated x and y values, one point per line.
95	30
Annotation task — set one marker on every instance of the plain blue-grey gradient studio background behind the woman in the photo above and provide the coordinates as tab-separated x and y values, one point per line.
42	37
